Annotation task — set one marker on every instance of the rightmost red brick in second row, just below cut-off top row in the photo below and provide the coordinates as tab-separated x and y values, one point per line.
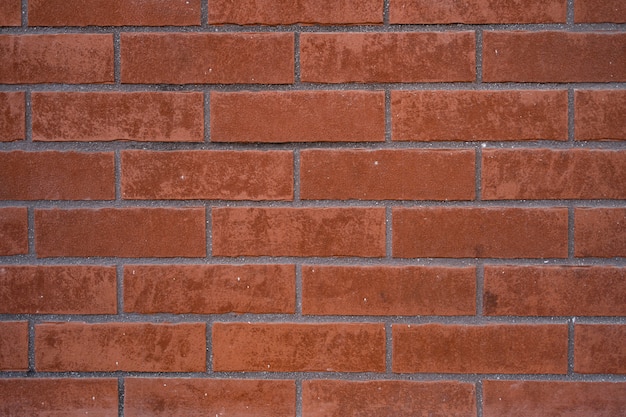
554	57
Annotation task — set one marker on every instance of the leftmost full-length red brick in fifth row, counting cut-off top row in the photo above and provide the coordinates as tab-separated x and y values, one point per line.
127	232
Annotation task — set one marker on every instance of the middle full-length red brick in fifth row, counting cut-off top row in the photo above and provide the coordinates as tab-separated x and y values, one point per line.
252	231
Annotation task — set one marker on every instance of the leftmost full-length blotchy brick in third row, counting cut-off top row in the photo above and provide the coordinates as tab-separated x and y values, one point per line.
144	116
